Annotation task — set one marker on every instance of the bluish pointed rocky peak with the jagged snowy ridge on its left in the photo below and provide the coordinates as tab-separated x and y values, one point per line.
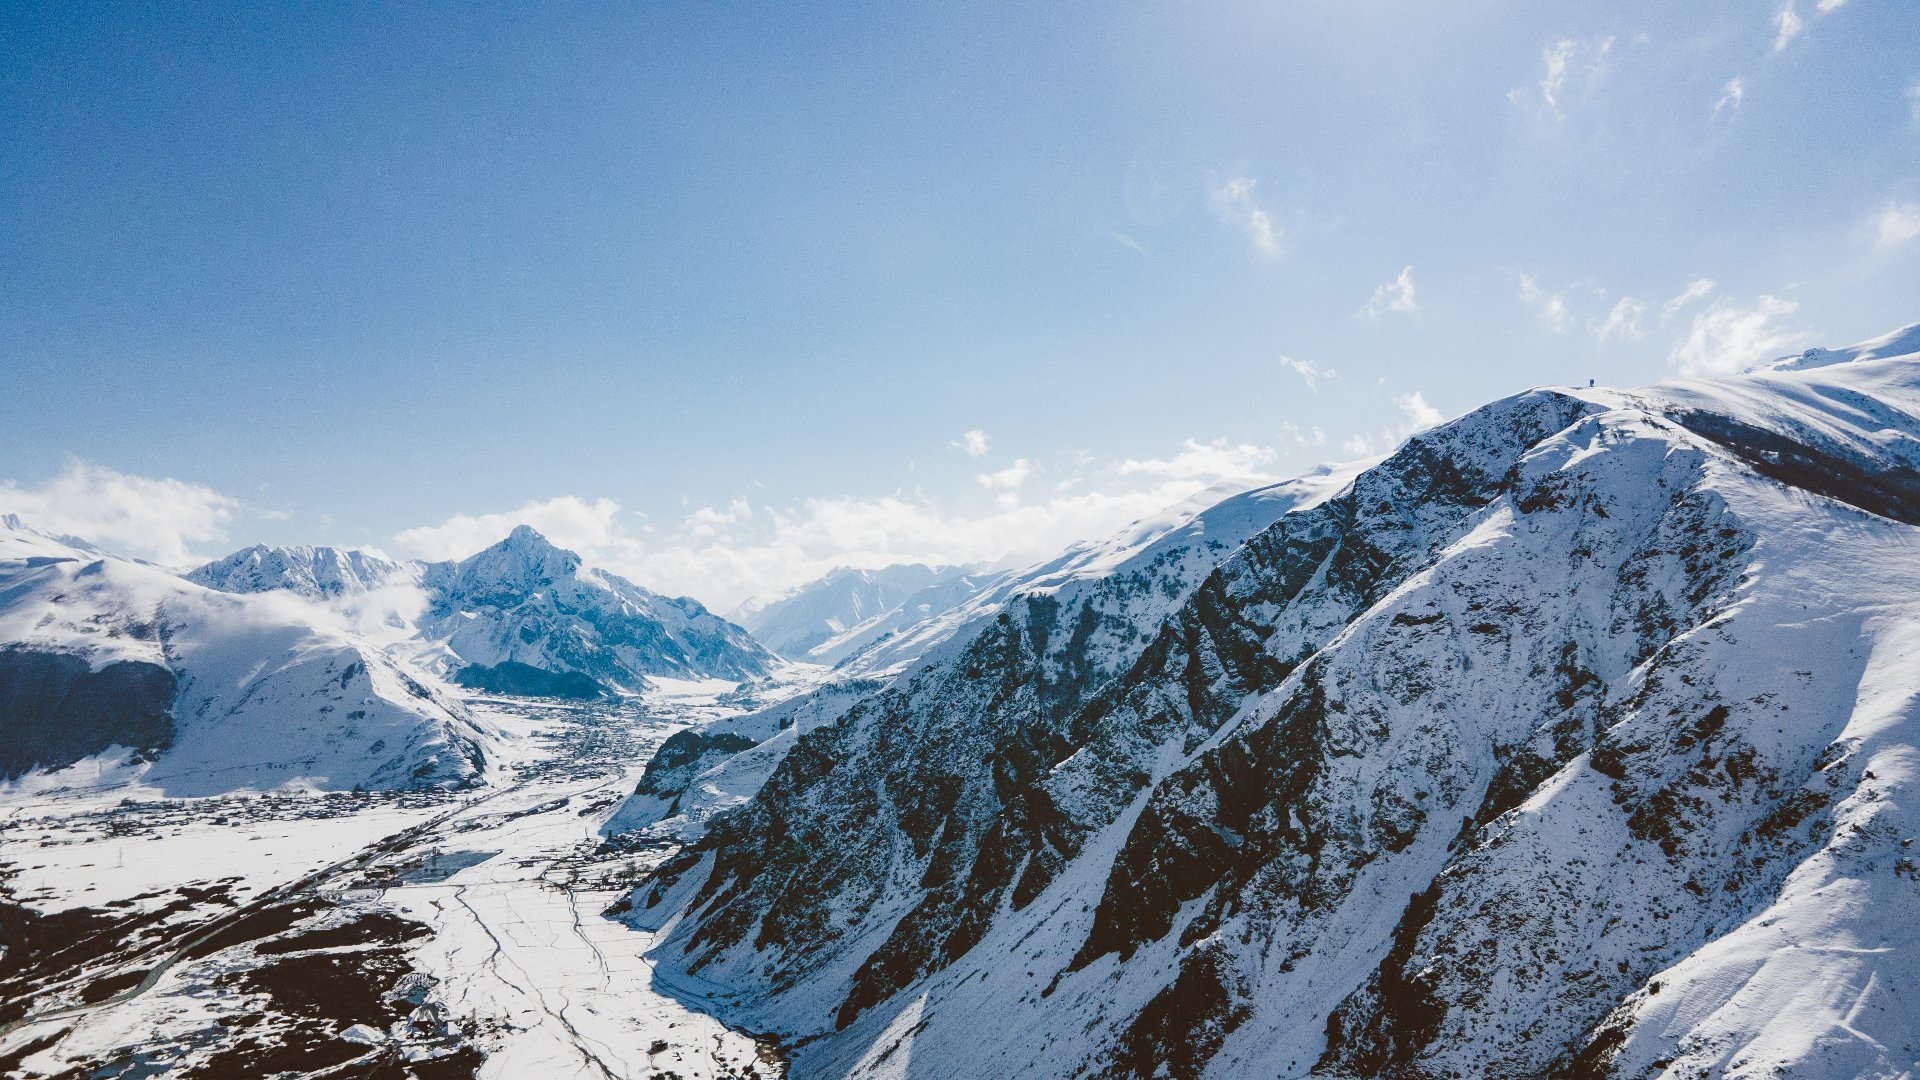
519	618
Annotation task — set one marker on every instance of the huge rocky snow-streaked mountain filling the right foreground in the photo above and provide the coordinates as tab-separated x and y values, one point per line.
1573	739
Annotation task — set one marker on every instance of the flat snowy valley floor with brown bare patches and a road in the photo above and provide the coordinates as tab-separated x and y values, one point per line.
354	935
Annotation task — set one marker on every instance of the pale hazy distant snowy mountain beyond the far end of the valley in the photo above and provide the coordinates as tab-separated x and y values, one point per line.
832	618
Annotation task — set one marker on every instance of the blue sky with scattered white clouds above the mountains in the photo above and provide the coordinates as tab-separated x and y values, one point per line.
715	293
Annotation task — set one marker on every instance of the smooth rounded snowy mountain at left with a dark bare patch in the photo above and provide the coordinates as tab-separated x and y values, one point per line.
191	691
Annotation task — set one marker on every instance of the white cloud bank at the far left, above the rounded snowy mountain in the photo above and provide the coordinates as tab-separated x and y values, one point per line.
158	520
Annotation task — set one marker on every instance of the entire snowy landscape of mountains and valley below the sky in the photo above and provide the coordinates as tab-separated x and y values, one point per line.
1573	737
